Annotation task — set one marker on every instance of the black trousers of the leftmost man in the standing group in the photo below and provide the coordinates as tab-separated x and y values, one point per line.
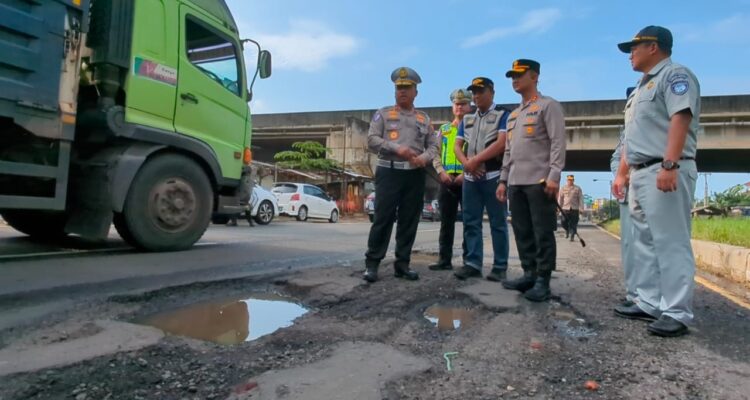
399	191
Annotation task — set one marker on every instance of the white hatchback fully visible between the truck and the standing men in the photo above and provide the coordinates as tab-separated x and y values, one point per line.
303	201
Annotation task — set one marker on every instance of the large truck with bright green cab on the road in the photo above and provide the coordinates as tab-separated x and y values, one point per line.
126	112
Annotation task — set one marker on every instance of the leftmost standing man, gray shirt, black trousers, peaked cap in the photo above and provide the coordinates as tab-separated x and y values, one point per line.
403	139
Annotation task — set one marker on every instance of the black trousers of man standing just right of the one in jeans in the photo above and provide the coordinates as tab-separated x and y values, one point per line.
533	219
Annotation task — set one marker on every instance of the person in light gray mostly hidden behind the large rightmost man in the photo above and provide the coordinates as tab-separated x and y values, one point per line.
626	227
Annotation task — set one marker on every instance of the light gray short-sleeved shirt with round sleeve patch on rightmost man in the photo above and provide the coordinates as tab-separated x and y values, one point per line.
665	90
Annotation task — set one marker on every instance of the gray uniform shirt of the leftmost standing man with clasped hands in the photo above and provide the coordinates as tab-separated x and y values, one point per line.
392	127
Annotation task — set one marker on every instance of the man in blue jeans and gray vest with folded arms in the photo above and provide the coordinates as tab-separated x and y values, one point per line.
483	133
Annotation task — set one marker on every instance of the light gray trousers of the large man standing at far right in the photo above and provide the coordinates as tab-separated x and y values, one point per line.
661	247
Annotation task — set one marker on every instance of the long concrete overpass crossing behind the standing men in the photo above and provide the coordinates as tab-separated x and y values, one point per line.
592	128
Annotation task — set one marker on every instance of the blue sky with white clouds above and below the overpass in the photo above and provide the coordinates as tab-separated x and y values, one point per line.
339	54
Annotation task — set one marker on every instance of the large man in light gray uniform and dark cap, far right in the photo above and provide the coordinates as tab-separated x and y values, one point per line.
658	167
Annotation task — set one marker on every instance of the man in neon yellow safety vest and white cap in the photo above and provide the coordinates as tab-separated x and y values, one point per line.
450	172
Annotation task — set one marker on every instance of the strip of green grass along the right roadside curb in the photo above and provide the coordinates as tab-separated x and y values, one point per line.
734	231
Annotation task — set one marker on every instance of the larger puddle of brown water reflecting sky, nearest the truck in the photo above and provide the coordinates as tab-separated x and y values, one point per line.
229	322
